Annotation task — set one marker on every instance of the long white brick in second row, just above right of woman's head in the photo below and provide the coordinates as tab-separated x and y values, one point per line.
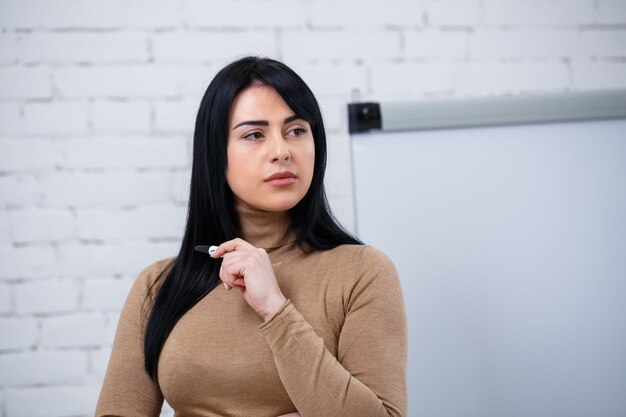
339	45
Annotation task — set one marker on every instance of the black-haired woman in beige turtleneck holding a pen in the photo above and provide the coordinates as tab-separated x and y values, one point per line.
316	326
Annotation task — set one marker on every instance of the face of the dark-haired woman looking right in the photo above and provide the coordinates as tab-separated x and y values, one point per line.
271	152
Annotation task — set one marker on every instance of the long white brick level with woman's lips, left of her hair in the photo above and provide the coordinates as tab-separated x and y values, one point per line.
96	188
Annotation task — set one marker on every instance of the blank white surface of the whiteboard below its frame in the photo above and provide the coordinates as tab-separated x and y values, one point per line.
510	242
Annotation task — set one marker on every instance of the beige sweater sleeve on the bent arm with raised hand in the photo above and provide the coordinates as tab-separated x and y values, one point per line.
368	377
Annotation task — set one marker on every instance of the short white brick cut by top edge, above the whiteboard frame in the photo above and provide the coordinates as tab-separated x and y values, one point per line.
453	13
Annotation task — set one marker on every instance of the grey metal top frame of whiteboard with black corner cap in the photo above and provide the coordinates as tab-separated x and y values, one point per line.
486	111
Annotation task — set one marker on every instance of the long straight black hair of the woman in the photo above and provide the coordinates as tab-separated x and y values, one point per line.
211	216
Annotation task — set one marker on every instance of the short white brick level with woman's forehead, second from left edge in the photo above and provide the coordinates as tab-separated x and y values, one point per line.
54	118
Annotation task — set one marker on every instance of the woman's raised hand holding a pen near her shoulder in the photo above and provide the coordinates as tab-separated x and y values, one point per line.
249	270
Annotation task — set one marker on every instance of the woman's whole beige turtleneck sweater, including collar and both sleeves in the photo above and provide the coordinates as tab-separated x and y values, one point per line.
336	348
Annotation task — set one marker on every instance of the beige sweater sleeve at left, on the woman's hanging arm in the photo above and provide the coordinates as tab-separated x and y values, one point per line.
128	390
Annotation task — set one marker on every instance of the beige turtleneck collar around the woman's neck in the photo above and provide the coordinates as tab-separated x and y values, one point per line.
268	230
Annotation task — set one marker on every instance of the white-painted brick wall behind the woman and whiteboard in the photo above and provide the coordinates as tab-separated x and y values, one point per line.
97	109
